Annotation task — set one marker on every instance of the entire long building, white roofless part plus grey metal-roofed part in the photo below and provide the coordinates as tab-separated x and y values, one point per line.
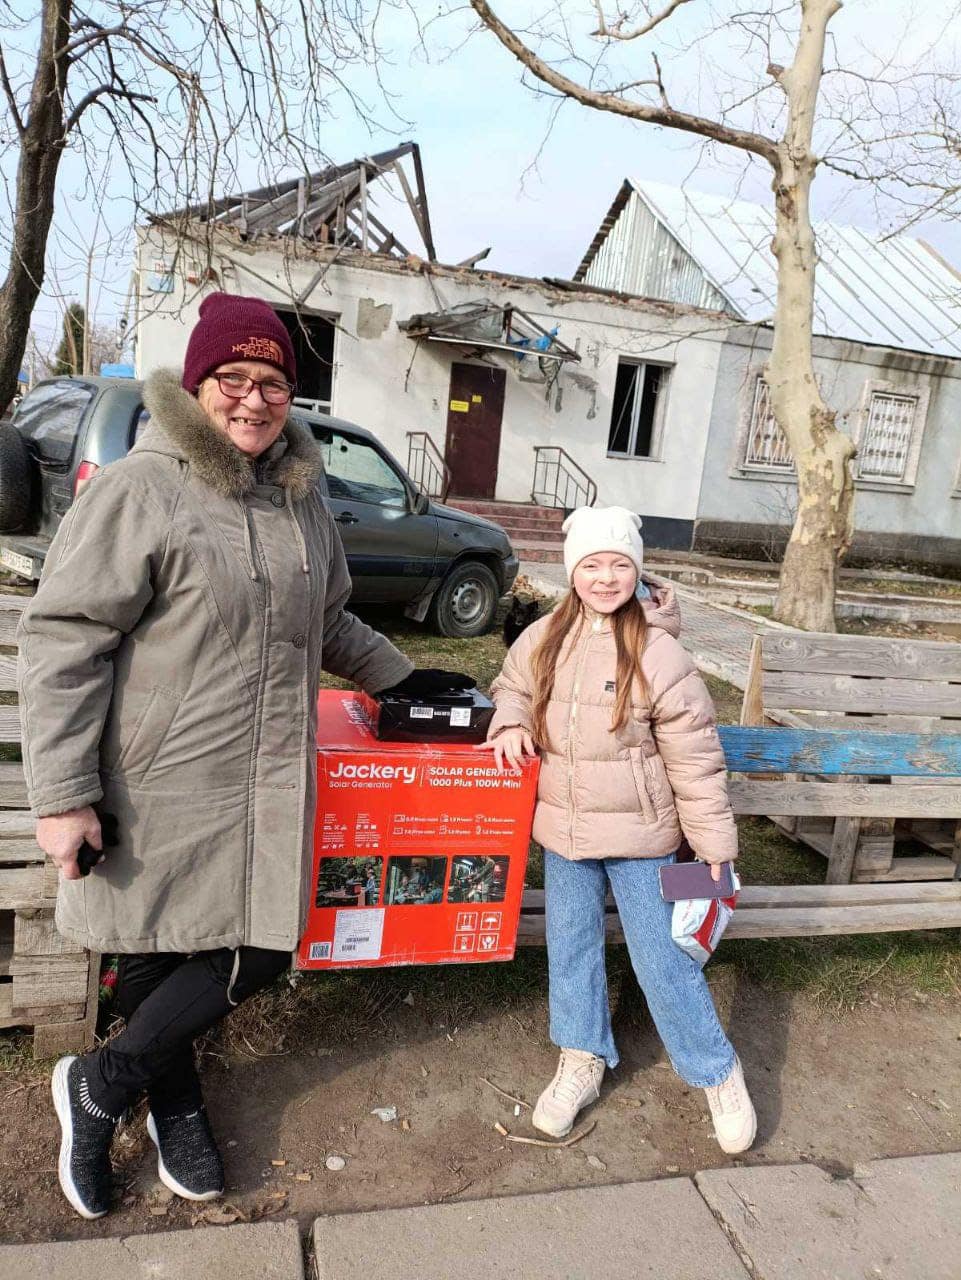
637	383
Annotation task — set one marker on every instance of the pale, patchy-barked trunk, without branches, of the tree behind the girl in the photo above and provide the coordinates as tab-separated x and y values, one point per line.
822	454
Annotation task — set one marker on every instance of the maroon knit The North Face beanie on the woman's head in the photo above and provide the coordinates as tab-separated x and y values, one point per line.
234	328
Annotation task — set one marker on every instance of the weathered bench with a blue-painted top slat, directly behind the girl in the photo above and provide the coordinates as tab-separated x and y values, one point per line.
798	911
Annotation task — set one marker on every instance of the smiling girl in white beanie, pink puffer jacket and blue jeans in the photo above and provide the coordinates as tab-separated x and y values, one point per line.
630	761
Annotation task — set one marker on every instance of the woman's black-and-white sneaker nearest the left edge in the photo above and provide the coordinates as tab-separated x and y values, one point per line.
88	1132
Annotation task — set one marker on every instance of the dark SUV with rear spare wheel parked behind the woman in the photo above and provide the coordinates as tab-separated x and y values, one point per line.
402	548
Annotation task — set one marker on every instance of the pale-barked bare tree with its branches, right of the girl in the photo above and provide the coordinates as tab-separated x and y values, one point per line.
823	527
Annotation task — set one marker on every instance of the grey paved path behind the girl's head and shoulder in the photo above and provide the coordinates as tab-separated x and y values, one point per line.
717	637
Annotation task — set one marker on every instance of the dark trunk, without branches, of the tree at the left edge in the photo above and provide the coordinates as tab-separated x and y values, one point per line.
42	148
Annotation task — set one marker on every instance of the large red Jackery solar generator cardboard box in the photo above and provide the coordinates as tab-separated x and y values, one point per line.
420	849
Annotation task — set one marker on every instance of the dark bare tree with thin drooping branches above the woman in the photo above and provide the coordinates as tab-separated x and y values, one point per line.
176	95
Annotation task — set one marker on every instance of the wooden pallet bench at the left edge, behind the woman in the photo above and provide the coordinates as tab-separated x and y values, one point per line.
44	982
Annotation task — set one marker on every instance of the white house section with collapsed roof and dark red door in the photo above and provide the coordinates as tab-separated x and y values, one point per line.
487	386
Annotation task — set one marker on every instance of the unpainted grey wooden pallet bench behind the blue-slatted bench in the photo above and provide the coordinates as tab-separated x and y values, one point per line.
875	684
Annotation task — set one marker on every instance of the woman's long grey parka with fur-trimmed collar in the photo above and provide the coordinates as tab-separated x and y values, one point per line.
170	669
